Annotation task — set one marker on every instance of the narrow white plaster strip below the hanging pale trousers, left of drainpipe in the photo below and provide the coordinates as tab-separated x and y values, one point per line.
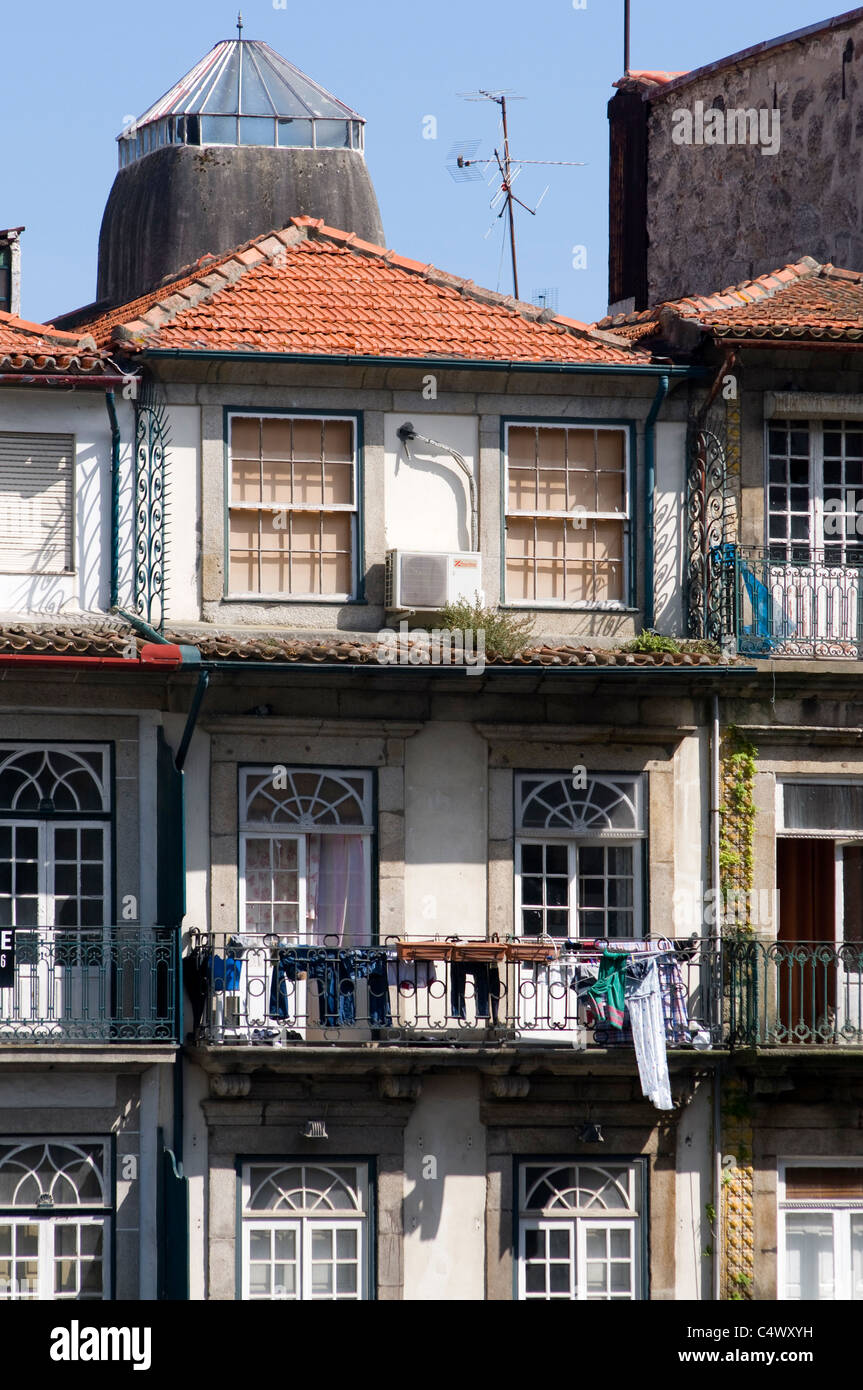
694	1191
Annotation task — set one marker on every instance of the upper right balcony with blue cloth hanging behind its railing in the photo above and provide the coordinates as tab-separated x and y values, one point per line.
808	605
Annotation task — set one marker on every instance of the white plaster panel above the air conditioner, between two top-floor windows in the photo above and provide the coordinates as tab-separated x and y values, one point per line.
429	498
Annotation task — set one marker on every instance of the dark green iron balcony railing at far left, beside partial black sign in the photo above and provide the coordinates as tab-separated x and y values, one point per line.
90	985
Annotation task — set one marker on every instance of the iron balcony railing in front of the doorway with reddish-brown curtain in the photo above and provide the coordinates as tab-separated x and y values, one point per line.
784	995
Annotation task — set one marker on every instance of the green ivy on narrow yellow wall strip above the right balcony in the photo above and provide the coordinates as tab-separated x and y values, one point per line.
737	825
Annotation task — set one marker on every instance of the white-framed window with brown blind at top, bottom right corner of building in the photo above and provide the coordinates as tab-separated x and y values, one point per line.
822	1229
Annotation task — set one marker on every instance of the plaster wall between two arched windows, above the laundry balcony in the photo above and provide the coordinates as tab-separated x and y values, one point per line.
445	832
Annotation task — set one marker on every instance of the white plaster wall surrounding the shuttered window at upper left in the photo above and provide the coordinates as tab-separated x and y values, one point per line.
84	415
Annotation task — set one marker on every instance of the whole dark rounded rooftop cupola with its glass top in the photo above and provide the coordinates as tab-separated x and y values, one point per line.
237	148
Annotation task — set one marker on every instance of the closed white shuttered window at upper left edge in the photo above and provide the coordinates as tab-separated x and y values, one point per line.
37	502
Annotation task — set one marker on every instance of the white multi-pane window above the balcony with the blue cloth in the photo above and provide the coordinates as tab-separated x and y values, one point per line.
815	491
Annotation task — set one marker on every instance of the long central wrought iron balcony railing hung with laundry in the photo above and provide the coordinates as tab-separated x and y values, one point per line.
256	990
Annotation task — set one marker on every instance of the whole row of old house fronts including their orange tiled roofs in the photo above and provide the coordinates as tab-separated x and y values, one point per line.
350	957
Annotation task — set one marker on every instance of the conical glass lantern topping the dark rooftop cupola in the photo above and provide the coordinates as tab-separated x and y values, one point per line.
244	94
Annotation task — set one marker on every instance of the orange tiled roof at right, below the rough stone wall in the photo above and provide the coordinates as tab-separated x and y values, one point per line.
801	302
